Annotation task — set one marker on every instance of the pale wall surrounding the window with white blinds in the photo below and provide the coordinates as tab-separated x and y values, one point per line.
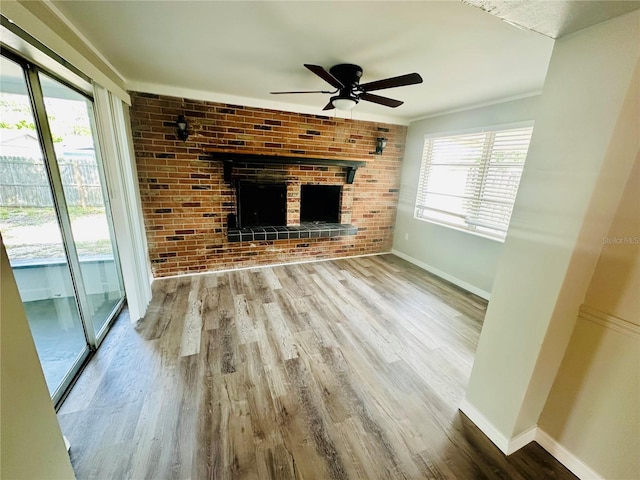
463	258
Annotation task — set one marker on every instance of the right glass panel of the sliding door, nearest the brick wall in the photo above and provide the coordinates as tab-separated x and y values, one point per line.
70	122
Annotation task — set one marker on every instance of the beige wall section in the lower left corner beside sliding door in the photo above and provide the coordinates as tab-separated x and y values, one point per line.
31	444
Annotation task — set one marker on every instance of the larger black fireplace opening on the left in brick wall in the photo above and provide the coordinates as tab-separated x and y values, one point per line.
261	204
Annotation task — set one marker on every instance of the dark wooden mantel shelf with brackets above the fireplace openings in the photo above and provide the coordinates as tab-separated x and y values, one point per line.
229	158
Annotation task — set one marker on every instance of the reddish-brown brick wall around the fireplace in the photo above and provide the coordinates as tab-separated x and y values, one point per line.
185	200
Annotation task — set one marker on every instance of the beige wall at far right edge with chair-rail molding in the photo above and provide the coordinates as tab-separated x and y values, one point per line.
593	409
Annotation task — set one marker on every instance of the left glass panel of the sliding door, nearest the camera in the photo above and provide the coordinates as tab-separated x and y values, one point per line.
32	236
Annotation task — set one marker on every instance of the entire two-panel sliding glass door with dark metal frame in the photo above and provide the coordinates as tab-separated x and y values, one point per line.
55	218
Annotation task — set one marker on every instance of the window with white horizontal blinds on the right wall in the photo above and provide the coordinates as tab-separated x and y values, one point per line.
469	181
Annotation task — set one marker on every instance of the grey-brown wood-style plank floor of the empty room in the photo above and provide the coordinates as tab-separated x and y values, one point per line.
343	369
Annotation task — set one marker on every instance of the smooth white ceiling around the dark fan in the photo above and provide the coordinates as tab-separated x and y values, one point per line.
239	51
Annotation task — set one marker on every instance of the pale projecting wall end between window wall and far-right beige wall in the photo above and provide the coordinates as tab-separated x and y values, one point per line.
583	148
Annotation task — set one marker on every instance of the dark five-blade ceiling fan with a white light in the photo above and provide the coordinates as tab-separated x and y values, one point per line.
345	78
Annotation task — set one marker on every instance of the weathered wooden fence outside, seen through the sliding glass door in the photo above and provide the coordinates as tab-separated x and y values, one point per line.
24	182
